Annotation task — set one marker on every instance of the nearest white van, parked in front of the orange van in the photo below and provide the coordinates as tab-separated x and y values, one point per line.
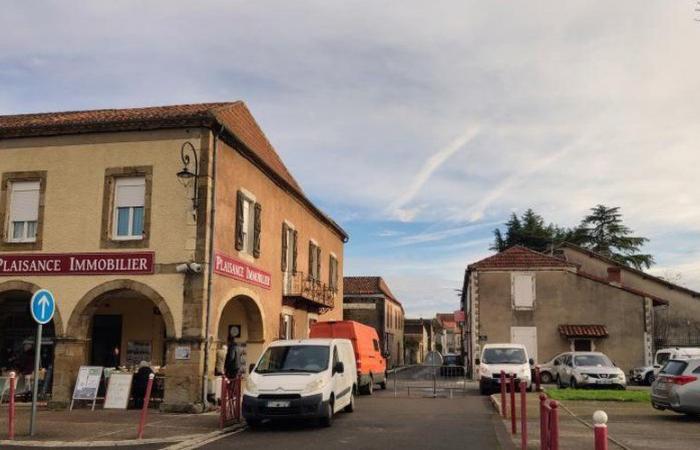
308	378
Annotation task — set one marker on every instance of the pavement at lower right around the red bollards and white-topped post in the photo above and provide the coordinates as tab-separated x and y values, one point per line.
631	425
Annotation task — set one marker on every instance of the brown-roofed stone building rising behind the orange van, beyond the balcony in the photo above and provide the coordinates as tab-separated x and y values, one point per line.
368	300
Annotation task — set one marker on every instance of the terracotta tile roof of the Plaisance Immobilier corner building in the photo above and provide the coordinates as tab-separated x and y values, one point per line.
234	117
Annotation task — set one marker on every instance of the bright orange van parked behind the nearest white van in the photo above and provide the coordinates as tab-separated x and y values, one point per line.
371	364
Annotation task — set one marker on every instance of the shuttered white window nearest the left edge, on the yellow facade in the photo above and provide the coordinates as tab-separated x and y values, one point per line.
24	211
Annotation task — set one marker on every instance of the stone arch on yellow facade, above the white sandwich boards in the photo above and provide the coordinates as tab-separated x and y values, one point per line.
79	323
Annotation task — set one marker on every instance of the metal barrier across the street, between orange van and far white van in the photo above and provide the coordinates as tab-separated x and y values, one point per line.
429	381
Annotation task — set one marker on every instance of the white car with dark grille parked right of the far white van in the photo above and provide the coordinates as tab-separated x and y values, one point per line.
588	369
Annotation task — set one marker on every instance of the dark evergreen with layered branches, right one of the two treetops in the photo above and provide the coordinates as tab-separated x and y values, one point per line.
603	232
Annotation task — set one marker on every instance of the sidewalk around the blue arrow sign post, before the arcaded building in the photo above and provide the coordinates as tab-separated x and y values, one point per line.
106	427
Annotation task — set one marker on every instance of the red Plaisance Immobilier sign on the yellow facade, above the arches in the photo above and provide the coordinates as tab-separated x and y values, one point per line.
138	263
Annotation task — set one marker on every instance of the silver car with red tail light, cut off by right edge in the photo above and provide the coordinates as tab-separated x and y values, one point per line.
677	386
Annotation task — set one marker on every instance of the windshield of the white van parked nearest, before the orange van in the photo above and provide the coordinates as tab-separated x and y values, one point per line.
294	358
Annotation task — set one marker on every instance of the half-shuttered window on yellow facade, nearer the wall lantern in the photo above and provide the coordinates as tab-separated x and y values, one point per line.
129	200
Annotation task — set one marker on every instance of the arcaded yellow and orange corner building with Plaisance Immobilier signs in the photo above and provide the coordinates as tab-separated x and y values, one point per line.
163	233
